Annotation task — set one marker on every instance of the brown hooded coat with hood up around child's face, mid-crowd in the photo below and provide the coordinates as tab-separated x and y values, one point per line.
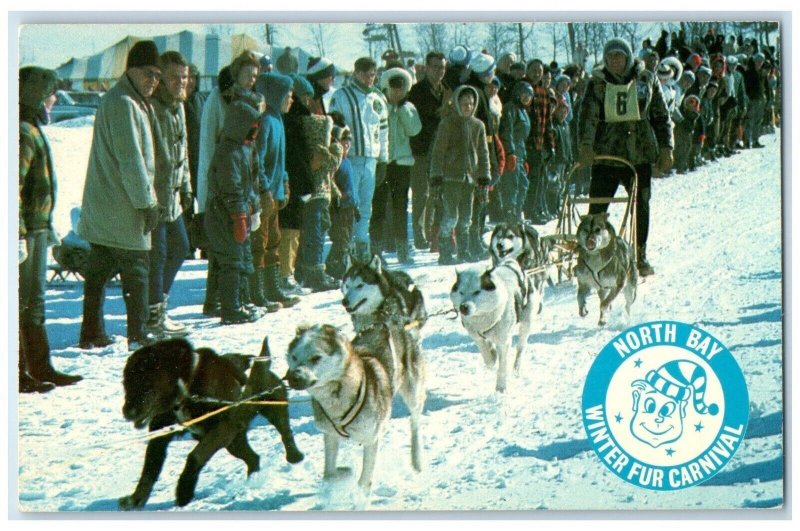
460	152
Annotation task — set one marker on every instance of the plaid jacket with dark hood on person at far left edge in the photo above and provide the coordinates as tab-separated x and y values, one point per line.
37	179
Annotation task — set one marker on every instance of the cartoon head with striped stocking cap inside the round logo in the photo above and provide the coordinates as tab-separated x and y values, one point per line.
660	401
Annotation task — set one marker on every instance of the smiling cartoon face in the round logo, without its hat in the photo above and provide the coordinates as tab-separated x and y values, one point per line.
657	419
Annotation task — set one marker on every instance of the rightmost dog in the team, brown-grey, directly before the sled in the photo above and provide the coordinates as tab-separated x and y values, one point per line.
605	263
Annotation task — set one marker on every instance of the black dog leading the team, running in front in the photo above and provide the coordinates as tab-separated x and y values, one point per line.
170	381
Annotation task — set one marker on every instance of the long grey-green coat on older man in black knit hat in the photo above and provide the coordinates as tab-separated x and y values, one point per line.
119	179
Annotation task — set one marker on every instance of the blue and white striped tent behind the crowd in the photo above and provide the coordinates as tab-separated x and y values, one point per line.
208	52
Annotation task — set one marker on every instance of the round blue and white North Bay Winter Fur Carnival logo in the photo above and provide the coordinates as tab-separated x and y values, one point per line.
665	405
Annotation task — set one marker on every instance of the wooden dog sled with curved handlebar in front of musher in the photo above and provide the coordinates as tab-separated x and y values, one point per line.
563	253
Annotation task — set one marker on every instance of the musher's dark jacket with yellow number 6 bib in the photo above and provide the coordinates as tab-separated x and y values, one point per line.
613	125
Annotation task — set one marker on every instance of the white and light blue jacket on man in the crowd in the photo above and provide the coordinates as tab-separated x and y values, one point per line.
367	115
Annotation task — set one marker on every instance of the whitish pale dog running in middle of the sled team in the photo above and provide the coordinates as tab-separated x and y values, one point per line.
491	302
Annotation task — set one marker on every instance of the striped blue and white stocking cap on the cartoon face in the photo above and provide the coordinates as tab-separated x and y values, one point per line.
681	379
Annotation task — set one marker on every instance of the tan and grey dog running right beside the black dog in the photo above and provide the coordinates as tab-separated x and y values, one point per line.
351	389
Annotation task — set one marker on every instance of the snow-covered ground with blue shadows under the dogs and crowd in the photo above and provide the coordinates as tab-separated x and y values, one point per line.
715	243
